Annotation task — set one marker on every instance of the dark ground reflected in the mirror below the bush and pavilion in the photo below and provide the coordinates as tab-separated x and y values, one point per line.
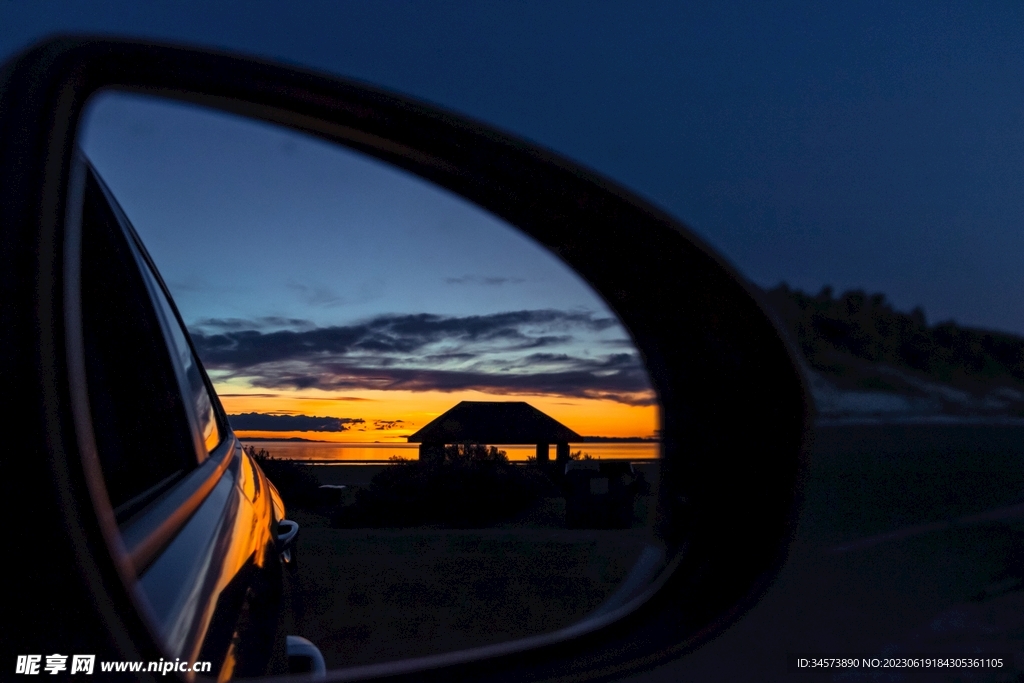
374	595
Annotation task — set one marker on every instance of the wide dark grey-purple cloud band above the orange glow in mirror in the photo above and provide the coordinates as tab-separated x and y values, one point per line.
528	353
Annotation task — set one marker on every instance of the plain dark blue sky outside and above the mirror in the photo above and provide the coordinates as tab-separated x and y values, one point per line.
855	145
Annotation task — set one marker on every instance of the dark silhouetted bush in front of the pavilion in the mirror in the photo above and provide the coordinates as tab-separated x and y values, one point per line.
472	486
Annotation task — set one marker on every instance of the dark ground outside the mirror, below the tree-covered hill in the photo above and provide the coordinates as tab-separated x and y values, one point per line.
912	540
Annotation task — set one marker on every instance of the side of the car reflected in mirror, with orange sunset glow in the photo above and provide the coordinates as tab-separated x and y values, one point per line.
198	519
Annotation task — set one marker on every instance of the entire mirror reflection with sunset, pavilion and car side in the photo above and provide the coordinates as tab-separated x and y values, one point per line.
461	429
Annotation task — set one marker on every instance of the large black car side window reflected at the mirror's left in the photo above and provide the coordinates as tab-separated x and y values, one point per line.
141	423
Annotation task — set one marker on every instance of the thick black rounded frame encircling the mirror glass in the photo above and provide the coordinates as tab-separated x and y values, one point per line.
481	164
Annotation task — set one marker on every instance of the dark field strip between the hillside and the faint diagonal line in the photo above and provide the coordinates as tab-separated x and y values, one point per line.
871	480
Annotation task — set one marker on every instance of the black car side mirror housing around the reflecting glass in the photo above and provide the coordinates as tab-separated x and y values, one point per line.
735	413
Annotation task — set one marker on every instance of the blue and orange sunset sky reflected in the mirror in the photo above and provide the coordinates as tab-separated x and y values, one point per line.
336	298
